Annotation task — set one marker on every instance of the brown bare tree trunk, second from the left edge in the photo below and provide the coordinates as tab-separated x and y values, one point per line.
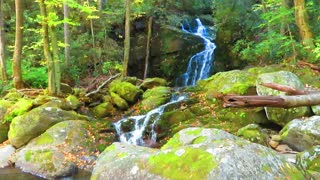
16	66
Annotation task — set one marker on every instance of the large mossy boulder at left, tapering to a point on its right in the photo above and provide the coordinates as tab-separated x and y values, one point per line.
32	124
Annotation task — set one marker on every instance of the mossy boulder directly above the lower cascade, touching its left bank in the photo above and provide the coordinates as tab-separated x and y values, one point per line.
155	97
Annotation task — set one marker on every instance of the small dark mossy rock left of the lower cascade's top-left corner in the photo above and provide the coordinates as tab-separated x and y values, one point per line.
103	110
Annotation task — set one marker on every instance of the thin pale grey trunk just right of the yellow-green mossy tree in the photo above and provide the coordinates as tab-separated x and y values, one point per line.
66	35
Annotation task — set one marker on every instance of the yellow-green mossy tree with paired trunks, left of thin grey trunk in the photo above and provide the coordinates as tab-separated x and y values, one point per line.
52	57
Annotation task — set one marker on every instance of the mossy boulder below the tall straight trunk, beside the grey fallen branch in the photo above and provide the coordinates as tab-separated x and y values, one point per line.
125	90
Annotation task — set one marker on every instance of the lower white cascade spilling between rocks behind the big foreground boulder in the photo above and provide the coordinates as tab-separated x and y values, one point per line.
141	123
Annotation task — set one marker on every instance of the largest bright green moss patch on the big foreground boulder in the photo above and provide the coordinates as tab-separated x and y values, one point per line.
186	163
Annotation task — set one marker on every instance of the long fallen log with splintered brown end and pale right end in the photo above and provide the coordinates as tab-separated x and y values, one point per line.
271	101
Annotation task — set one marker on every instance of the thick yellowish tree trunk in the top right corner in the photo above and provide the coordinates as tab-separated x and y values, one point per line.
302	23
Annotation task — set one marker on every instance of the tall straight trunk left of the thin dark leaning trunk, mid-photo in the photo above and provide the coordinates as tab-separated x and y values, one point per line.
126	40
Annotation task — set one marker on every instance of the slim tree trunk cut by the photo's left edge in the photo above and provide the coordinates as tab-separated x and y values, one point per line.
3	71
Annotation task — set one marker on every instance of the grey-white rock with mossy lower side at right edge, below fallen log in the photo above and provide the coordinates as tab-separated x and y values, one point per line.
302	134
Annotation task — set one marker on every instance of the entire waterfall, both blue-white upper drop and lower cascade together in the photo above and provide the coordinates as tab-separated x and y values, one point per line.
199	67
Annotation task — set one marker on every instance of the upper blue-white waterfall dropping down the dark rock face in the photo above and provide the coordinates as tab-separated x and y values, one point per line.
200	64
